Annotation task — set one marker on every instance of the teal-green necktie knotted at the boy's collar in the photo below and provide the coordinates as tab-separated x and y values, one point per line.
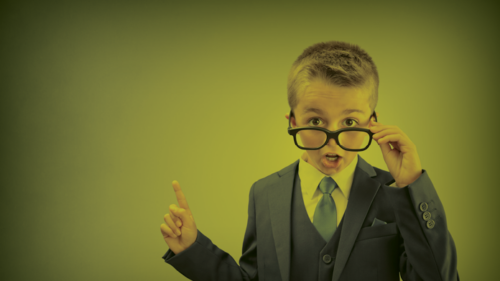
325	215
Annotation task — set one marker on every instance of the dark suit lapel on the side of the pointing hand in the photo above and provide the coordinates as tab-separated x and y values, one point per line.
280	203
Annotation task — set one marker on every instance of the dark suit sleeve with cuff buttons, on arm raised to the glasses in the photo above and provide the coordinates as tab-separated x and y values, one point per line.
427	250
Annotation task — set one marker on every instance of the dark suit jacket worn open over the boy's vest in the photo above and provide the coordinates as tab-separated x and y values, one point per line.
417	248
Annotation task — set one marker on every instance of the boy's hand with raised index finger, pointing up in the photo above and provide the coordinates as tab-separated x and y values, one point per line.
180	230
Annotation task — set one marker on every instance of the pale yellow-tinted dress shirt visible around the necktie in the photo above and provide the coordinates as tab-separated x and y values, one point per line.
310	177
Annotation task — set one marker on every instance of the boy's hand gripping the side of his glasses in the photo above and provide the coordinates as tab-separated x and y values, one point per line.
402	160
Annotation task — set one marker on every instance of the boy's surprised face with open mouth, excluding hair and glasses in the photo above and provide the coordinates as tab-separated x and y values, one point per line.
333	108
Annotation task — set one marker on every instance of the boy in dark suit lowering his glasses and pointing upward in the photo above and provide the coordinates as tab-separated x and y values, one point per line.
330	215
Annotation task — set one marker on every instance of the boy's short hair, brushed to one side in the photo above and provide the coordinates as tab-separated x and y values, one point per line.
339	63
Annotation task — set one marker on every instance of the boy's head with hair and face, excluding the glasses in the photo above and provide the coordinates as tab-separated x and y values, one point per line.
332	85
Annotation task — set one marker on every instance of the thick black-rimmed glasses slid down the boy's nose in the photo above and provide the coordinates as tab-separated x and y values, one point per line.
312	138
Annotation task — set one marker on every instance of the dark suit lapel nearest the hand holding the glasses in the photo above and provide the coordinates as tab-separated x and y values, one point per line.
363	190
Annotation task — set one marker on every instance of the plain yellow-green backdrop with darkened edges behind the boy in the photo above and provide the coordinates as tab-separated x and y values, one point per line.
104	104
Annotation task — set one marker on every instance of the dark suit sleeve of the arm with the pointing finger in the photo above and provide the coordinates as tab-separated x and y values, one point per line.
205	261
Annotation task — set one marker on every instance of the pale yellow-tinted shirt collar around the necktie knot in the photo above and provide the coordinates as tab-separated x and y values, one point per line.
310	177
